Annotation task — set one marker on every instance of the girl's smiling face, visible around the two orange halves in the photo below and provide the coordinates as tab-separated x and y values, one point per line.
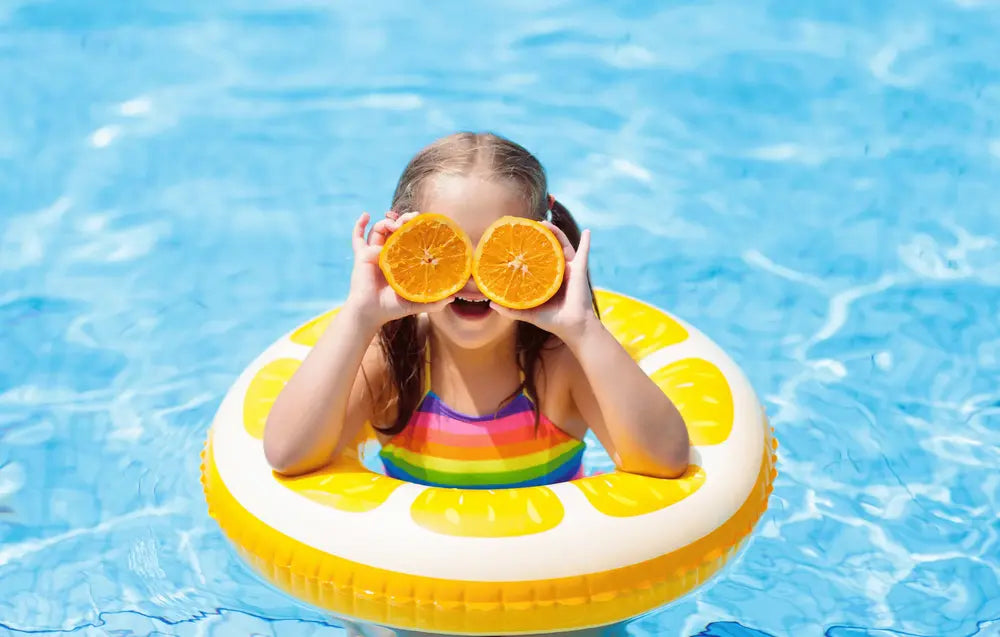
474	203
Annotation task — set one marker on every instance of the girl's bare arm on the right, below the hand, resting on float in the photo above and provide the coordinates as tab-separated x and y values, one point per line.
635	421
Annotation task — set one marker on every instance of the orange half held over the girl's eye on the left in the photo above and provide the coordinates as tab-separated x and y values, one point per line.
428	259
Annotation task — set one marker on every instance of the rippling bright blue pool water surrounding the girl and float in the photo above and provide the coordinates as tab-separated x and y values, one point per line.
814	184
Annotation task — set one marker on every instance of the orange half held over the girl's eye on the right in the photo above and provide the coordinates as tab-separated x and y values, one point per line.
519	263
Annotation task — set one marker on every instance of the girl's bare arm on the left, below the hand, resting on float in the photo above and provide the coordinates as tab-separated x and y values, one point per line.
327	401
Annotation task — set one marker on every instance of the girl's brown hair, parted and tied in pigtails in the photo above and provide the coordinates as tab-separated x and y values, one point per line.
463	154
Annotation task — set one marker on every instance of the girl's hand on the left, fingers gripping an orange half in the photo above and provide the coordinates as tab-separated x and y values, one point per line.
370	294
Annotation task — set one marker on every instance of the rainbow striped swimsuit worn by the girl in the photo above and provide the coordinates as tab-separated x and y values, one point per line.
442	447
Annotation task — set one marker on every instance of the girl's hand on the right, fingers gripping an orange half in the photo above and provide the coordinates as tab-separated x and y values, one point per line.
571	309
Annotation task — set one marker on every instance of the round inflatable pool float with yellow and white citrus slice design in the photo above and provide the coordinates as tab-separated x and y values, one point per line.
585	553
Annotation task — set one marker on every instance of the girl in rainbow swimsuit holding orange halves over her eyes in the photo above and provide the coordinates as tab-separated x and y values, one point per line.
465	392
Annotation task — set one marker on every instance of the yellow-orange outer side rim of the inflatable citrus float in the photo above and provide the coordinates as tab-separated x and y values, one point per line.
402	600
